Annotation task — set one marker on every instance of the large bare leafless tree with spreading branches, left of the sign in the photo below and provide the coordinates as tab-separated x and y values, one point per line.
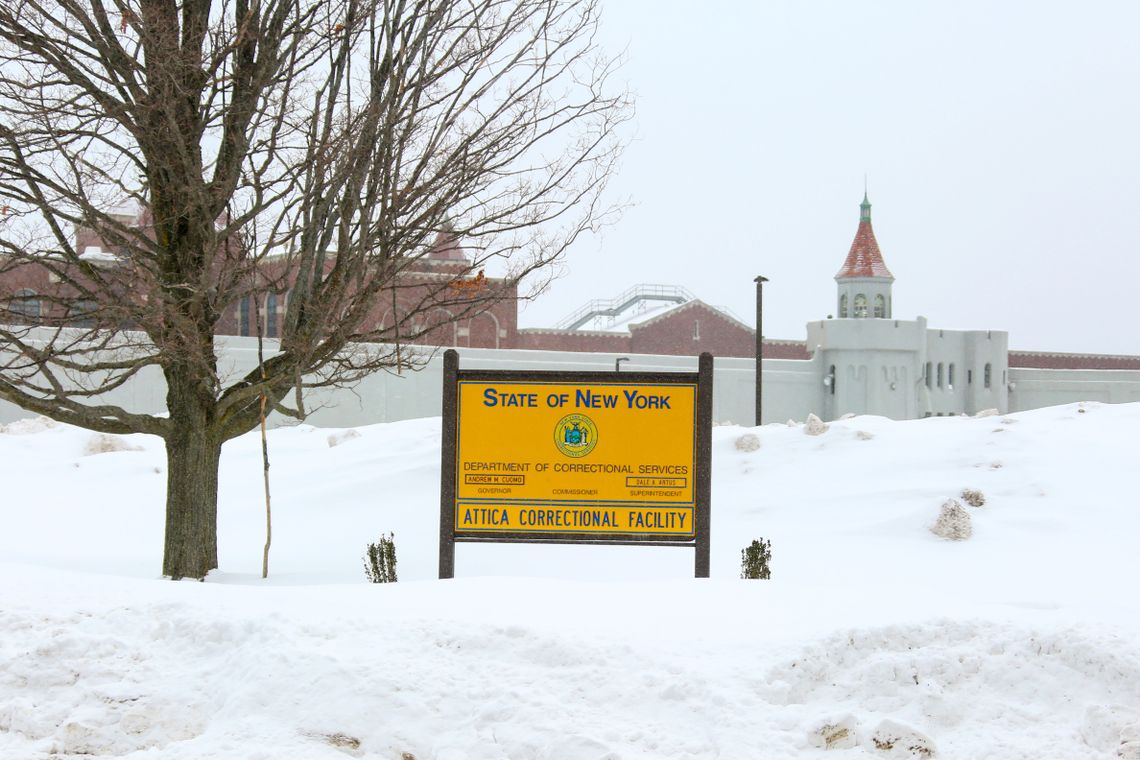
316	146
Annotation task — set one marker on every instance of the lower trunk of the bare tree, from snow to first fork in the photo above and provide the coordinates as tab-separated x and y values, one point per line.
193	455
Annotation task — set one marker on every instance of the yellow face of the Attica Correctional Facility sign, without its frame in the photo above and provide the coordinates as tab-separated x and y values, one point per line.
576	457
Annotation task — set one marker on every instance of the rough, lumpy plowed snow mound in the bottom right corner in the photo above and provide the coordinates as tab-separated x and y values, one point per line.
960	690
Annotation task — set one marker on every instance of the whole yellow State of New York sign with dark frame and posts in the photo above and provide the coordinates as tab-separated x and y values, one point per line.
576	457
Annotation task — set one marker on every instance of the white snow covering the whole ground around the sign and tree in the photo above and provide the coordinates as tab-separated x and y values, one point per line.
874	636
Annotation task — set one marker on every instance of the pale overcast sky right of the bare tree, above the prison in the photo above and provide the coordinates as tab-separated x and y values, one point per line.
1001	143
